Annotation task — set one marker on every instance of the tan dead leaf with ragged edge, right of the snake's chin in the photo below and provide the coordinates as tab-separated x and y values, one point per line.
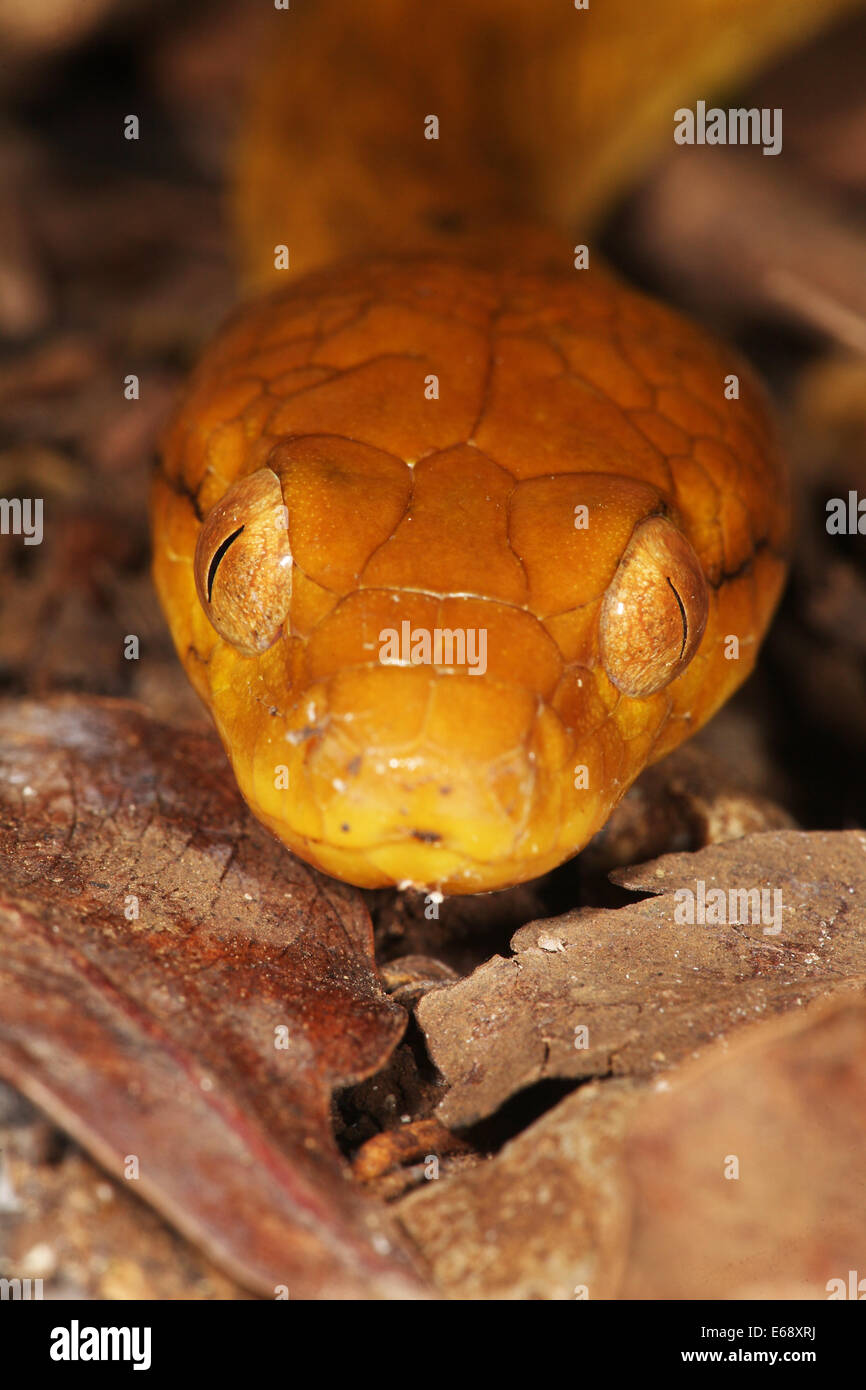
633	992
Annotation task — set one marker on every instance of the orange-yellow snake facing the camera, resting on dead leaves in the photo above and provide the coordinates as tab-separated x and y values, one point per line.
455	530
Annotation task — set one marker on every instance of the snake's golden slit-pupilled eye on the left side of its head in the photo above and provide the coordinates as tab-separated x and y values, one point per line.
244	564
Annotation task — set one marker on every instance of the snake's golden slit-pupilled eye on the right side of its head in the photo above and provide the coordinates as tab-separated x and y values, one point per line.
654	612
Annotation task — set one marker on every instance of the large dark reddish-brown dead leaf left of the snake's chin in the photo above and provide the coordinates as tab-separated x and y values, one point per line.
204	1036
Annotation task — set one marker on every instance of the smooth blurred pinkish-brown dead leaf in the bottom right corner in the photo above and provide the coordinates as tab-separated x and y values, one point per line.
764	1154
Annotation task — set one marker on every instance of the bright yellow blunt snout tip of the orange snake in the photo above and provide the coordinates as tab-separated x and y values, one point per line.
434	779
